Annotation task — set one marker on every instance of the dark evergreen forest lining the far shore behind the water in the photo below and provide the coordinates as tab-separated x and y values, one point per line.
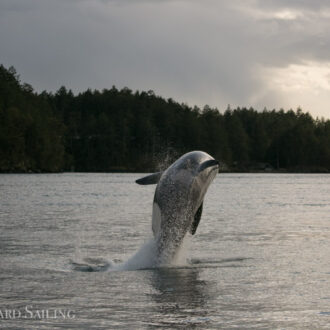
122	130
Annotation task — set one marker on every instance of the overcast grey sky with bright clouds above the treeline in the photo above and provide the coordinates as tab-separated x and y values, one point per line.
267	53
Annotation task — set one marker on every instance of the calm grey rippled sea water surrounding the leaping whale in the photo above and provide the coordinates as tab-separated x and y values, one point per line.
260	257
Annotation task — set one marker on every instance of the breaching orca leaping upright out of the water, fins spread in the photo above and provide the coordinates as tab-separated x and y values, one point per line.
178	200
